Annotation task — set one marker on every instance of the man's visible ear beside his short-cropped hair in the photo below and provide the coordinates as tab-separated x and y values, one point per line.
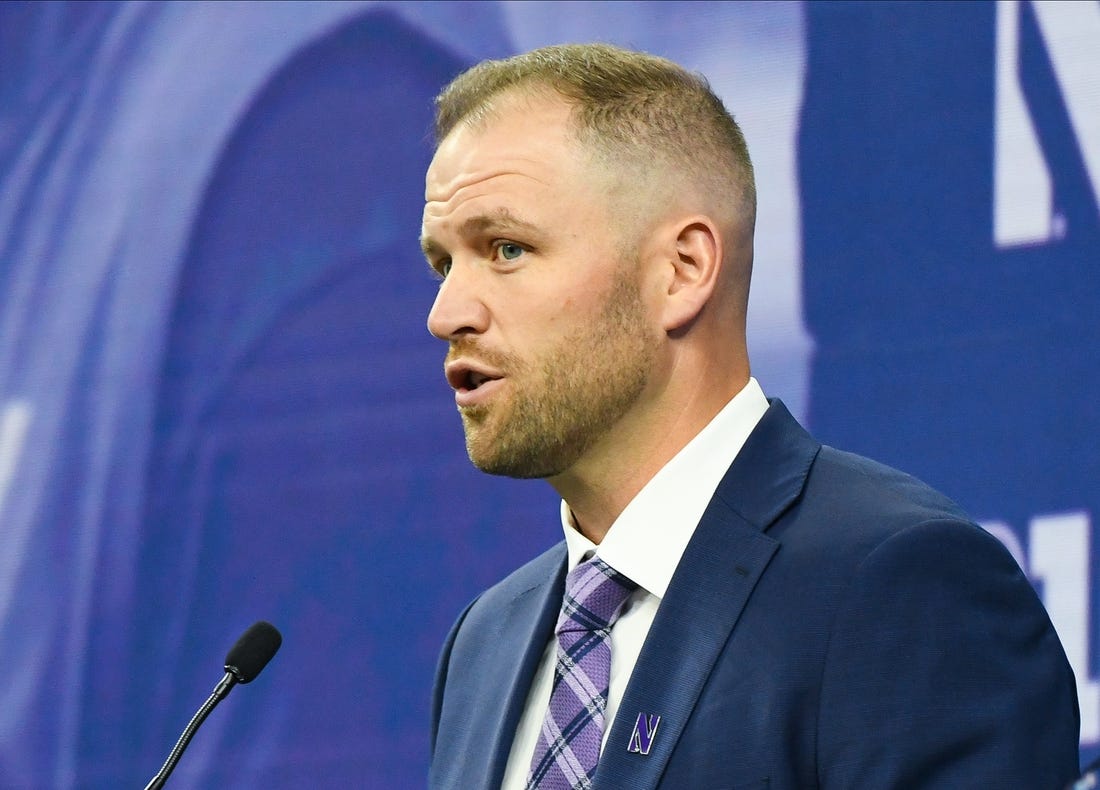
694	262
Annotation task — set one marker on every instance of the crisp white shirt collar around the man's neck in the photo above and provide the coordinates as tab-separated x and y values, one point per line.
650	537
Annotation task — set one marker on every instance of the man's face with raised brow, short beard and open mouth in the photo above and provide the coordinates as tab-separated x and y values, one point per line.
541	302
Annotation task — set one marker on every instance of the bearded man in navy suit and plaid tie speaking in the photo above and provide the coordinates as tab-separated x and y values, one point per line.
744	608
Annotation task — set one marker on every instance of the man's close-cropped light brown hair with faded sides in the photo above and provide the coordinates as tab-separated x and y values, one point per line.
631	108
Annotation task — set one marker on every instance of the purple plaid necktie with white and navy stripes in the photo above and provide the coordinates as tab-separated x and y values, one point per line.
568	750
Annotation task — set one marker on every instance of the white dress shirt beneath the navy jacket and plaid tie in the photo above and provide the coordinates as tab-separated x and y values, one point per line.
645	544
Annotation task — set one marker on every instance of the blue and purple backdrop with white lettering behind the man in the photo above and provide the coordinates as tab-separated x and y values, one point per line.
219	403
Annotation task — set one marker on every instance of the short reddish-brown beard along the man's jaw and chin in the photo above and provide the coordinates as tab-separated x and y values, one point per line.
565	402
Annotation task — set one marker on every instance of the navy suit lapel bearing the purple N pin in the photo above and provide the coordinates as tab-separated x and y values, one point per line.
710	589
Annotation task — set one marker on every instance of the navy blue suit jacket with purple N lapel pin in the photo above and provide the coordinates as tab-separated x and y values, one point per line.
833	624
